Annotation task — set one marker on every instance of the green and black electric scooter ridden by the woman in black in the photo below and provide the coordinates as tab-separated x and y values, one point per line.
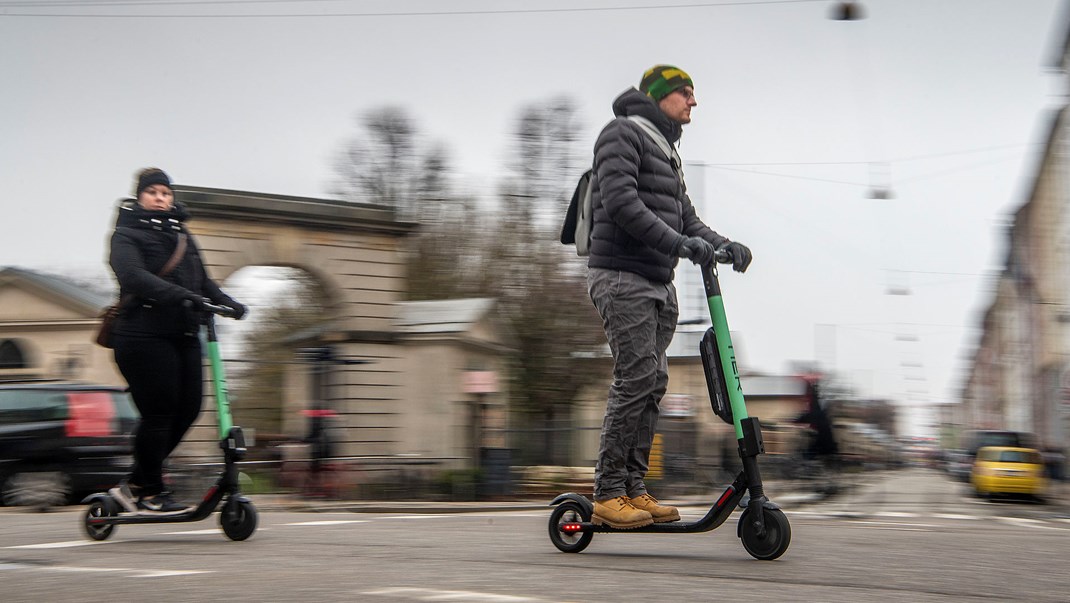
239	517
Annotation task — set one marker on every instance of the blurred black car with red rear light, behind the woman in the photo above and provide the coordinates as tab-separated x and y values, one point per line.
59	442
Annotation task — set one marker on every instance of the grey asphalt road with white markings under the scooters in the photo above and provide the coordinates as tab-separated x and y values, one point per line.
909	536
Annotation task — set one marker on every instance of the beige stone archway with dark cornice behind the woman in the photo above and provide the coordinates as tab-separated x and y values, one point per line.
355	251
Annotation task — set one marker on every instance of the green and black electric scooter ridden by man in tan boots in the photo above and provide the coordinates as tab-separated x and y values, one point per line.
763	528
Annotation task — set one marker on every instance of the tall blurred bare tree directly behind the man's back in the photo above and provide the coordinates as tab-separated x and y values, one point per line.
542	285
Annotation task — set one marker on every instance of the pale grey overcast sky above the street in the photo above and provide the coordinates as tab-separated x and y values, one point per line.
944	102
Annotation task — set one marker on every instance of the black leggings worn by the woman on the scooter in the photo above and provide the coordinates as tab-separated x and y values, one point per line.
165	377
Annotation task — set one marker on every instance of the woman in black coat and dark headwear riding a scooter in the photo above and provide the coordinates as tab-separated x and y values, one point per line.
157	338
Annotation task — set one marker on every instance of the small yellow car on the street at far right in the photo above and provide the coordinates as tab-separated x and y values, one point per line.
1001	470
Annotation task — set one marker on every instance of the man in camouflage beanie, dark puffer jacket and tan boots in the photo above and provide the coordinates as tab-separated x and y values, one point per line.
643	223
